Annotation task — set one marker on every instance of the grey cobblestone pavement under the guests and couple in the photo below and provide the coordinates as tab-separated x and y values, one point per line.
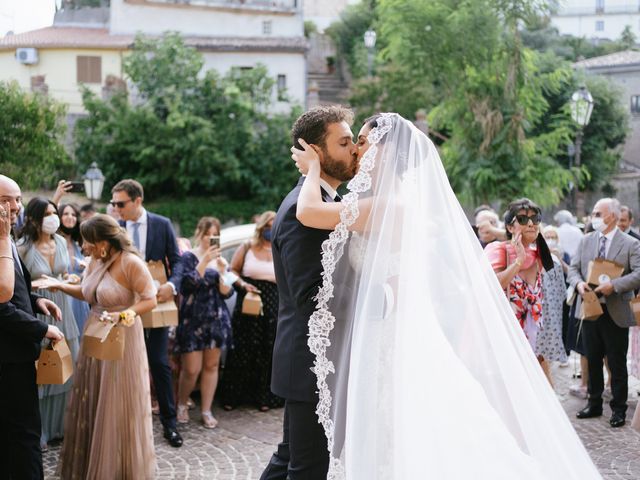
243	442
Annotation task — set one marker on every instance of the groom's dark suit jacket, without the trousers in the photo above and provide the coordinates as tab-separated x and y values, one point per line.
297	261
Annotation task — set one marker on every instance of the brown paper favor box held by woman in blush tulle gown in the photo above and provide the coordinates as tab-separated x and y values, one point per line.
103	340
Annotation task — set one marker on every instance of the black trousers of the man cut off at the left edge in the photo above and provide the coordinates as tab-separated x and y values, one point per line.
20	454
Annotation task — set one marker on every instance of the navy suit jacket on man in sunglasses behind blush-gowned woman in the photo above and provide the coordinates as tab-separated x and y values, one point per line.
162	245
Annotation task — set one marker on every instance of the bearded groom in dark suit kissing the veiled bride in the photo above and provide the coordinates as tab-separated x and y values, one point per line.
303	453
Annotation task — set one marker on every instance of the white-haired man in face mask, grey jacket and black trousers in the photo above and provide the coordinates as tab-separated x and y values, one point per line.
607	336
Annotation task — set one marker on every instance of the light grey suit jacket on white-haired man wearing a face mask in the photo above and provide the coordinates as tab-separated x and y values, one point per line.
624	250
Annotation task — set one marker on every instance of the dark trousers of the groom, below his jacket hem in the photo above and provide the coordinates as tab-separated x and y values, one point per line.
302	454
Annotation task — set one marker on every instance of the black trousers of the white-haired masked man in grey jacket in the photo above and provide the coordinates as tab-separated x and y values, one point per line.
603	338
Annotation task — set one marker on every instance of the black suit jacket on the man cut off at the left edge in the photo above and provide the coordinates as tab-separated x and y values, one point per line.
20	331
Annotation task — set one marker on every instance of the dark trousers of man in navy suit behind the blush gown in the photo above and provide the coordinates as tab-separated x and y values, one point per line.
157	342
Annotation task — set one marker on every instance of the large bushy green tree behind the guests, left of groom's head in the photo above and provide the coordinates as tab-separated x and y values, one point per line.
188	133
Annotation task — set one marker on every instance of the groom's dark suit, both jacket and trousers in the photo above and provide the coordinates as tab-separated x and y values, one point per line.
296	256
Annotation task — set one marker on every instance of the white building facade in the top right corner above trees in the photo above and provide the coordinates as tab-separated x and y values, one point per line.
596	19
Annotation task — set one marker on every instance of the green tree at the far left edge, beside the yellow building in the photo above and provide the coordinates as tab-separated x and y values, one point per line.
32	128
